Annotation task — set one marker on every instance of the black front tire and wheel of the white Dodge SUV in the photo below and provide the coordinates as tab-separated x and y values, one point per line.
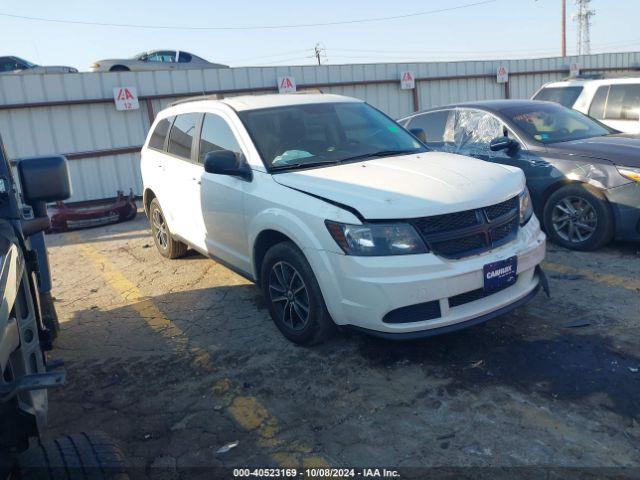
317	326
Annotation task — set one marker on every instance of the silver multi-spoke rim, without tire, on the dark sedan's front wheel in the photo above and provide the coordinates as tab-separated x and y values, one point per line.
574	219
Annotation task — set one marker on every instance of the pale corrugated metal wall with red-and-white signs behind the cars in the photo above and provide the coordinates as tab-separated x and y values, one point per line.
74	113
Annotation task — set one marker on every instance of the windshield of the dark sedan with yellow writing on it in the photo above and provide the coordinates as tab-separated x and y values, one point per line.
549	123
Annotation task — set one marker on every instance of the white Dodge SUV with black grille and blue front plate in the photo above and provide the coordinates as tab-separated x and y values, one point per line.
340	215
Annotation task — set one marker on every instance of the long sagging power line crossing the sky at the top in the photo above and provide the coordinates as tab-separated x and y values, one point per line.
249	27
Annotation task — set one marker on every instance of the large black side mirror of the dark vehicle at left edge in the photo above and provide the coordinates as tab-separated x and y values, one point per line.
44	179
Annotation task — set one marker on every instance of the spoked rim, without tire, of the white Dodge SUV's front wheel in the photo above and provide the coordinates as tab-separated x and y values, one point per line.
289	295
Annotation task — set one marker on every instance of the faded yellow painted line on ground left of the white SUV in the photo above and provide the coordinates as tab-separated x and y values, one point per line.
248	412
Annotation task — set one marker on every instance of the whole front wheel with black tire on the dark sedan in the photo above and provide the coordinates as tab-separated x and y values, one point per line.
588	213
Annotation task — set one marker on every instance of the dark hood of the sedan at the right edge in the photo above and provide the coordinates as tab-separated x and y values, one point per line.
619	149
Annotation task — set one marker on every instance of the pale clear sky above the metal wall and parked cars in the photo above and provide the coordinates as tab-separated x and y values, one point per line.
489	30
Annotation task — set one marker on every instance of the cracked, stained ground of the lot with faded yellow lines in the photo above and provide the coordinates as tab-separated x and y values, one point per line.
175	359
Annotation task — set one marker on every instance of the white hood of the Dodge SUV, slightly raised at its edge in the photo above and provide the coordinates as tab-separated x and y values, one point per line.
409	186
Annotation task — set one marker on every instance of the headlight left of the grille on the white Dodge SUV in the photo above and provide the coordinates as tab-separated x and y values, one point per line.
374	239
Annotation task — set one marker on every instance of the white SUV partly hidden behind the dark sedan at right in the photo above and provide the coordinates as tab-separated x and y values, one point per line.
613	101
